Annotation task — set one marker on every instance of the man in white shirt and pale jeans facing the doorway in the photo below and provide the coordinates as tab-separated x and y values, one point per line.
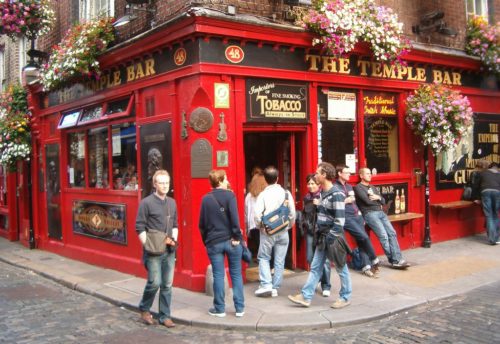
269	200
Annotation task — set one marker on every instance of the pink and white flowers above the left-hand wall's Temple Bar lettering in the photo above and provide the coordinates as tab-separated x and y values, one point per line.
75	58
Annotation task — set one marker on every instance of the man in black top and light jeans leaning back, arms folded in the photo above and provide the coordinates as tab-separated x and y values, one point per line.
370	203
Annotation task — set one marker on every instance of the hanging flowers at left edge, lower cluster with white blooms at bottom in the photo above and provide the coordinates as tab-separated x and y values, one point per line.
15	138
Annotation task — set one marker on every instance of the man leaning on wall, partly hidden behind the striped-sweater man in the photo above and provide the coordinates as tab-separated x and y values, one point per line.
355	225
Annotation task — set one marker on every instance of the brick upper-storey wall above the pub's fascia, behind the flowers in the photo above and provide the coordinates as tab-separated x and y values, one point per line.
409	12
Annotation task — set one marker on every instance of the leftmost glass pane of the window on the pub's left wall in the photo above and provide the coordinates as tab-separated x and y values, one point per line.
76	159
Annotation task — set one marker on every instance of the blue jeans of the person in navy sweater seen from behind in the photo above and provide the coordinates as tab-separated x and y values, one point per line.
216	254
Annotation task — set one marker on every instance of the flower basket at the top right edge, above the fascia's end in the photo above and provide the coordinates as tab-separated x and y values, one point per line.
483	41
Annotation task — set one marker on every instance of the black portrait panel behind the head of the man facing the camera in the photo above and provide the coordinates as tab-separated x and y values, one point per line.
156	153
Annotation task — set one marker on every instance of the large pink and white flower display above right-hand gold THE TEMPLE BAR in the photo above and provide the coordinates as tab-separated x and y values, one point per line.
343	23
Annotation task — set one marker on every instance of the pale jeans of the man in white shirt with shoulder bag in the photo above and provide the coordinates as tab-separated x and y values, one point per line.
280	244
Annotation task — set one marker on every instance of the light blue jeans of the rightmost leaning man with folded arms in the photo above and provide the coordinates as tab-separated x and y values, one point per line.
380	224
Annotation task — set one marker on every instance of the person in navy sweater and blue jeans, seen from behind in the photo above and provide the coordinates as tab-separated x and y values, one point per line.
220	230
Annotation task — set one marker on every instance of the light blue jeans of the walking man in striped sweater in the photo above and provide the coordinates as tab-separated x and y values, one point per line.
315	274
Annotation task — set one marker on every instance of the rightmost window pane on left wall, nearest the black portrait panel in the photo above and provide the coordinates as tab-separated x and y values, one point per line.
124	157
